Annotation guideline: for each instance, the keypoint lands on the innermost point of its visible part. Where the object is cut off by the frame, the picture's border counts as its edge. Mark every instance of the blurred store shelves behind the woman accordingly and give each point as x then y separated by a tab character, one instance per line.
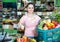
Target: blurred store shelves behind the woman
12	10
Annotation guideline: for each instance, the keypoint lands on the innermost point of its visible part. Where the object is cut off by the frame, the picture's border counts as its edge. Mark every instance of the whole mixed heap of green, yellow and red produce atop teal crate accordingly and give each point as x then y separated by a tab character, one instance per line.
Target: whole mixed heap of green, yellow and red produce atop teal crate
47	24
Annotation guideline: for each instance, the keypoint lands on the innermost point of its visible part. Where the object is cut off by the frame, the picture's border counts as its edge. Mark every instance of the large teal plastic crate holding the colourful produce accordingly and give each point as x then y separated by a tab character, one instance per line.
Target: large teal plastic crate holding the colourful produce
52	35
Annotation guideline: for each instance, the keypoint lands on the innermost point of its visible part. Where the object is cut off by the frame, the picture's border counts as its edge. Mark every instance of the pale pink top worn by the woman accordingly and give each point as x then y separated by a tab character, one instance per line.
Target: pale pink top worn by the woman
30	25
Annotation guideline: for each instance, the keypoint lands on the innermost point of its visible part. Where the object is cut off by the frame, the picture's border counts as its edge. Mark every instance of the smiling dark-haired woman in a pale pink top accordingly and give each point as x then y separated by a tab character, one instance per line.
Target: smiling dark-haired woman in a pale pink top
29	22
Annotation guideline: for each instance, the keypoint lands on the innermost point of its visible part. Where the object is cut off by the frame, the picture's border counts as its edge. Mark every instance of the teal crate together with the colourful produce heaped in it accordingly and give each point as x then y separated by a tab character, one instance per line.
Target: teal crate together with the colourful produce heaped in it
49	29
